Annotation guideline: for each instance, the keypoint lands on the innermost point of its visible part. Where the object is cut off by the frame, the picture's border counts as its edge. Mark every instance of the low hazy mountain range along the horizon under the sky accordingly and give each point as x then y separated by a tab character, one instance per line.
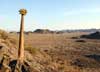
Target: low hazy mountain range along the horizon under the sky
46	31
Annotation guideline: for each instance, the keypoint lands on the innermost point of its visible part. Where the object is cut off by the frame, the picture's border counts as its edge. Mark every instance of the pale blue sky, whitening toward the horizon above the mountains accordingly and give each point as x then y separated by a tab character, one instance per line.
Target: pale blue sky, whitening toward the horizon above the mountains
50	14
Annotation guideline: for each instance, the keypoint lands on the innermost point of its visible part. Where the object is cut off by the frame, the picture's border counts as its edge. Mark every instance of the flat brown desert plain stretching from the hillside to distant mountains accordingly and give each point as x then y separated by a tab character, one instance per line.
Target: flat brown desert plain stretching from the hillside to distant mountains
64	52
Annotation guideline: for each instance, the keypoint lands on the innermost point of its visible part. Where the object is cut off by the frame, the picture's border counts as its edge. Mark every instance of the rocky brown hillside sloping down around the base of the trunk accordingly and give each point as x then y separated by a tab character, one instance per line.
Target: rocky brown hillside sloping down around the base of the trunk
8	56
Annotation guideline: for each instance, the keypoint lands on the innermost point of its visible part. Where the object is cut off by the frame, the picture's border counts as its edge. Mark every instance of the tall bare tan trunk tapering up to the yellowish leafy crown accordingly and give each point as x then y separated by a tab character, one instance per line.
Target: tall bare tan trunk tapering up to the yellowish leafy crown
20	60
